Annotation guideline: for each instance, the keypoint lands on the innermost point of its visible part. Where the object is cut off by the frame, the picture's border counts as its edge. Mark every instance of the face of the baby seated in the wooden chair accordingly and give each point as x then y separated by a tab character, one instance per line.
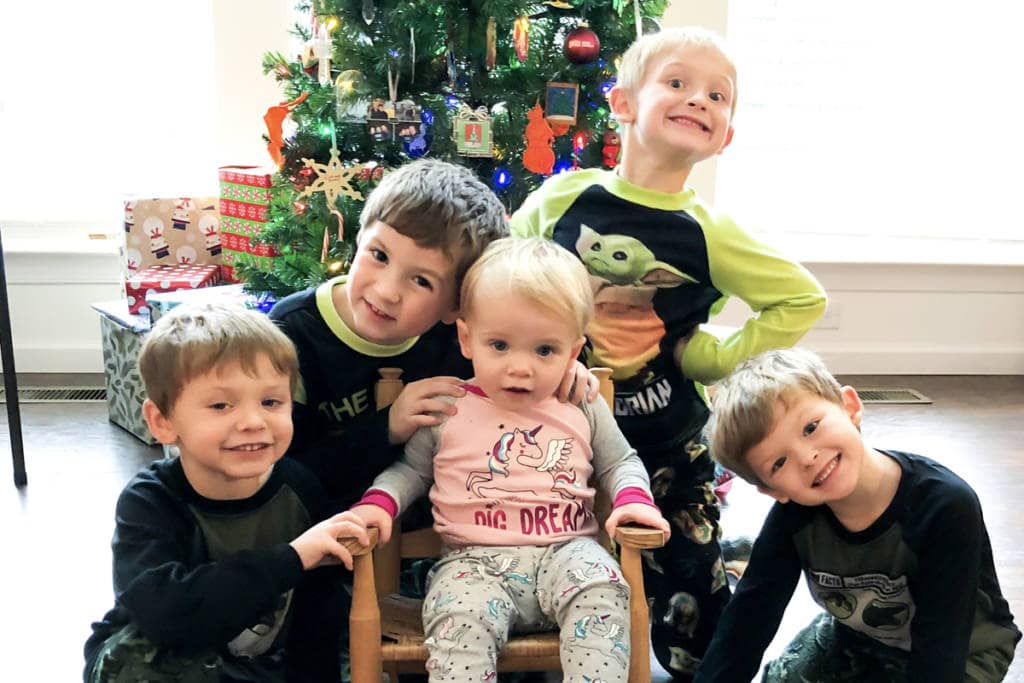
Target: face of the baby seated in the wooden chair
521	352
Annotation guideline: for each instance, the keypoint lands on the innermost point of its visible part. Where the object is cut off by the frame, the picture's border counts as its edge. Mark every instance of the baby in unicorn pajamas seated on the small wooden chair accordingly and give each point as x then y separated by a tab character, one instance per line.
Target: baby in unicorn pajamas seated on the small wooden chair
508	476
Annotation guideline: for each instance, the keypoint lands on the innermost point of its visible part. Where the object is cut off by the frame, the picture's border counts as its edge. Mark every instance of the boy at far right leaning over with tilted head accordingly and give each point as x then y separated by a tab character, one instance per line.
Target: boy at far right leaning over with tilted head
893	545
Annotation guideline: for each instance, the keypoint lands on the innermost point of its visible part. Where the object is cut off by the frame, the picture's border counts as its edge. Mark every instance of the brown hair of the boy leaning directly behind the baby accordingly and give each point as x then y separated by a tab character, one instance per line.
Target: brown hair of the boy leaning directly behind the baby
440	206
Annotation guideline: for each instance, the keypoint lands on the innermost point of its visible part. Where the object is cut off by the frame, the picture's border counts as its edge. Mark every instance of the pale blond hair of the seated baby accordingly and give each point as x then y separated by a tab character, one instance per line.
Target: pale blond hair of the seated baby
537	270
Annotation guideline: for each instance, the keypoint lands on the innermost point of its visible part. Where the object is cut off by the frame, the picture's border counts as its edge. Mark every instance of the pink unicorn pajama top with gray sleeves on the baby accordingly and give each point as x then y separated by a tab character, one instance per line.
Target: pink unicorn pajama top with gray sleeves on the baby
499	478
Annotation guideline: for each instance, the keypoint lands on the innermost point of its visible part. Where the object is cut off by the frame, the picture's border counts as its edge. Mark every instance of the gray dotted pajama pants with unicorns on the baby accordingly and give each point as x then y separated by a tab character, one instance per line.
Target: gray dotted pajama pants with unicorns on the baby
479	595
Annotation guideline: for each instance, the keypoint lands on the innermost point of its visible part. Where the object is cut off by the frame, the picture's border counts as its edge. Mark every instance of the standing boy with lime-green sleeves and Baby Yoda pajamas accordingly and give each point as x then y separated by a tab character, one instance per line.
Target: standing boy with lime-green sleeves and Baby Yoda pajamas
662	263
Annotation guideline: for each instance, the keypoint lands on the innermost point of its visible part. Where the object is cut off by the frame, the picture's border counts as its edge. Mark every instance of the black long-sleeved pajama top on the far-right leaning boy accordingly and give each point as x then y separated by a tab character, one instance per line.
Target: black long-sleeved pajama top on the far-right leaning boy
920	579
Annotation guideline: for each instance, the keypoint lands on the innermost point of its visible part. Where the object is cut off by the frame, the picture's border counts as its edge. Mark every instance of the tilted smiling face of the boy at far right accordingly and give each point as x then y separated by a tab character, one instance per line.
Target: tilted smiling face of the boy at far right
815	452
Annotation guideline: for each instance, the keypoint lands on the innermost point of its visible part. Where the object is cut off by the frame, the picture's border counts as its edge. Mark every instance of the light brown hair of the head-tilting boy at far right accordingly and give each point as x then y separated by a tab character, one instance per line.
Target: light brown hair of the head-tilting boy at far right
746	405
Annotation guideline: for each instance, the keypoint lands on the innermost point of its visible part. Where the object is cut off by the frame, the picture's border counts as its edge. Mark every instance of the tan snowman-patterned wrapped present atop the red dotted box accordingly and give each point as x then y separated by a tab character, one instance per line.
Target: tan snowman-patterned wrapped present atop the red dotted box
165	232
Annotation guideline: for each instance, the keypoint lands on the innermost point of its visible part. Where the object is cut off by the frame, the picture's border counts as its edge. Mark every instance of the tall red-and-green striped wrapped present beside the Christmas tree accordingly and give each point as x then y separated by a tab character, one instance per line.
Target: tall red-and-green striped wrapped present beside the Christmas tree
245	201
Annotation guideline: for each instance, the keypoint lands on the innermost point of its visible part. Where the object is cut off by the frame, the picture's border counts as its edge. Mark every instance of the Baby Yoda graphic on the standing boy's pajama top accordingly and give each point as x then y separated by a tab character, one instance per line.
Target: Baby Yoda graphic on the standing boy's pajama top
625	276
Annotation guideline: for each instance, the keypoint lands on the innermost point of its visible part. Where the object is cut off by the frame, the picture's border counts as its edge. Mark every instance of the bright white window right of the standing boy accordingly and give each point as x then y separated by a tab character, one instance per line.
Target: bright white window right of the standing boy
878	118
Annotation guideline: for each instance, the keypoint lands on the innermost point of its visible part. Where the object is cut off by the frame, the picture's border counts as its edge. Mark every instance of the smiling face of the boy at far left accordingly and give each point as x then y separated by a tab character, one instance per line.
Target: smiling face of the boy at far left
231	428
